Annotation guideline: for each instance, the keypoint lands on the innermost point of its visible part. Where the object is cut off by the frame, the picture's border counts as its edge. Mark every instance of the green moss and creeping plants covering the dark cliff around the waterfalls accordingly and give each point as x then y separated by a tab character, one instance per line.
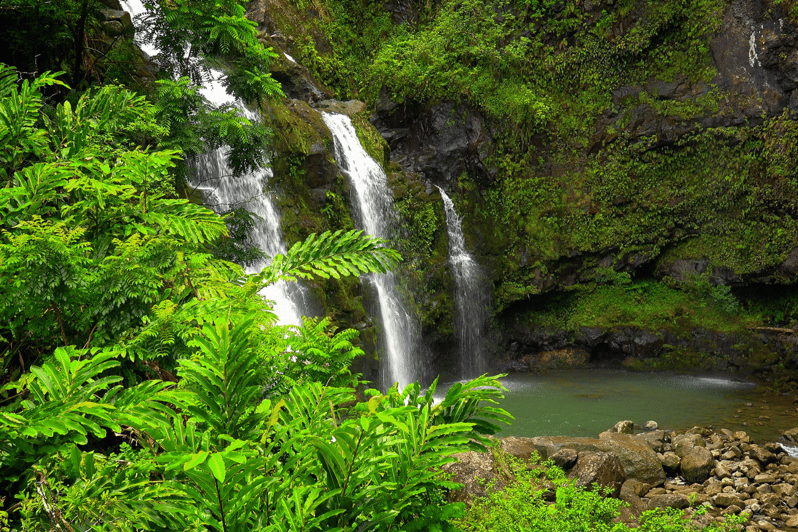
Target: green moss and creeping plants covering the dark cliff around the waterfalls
586	173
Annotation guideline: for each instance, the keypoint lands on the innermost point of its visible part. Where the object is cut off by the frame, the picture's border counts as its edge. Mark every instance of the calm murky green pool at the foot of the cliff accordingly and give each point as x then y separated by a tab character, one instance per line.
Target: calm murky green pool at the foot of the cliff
587	402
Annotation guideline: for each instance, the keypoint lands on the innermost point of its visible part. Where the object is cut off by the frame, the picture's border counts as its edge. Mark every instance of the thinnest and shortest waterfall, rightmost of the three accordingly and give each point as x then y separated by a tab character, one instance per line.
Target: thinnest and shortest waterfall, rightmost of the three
471	297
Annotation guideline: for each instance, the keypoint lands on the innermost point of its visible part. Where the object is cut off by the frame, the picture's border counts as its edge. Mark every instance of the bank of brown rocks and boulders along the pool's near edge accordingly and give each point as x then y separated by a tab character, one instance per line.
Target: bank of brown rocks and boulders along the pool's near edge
651	468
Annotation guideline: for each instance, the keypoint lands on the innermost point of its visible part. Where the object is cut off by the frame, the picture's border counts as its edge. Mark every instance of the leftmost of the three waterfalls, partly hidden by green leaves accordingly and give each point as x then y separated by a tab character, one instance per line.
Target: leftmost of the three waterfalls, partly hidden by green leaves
222	193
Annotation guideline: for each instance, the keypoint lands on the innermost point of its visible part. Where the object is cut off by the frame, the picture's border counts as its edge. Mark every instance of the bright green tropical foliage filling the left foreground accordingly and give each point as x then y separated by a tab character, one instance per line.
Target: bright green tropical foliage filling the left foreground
145	385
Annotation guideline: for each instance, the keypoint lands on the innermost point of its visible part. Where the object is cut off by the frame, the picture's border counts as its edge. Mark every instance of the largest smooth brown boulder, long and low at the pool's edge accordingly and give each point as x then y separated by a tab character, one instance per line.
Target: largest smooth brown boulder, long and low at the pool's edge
638	460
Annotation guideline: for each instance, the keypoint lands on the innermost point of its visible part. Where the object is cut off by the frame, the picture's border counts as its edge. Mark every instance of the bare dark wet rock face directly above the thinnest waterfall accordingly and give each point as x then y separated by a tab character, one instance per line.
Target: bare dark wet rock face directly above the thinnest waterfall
438	142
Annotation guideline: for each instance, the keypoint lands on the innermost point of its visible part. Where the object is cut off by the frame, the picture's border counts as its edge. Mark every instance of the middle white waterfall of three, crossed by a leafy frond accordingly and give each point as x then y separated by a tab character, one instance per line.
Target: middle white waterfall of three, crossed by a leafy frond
400	332
